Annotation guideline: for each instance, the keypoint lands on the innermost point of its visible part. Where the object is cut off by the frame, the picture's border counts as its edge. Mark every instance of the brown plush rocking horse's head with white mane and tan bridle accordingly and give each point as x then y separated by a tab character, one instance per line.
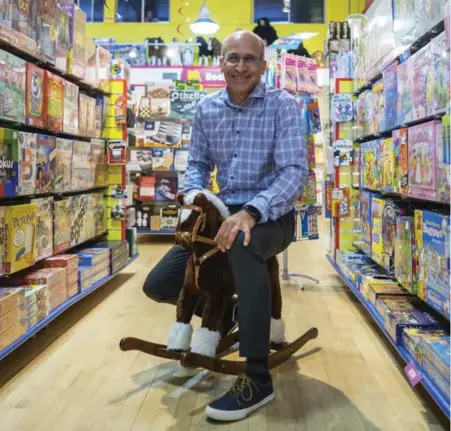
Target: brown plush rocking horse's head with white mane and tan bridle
200	217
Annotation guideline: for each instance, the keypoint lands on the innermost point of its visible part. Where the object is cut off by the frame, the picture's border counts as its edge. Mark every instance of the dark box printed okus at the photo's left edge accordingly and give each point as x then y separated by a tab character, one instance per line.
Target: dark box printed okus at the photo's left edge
9	168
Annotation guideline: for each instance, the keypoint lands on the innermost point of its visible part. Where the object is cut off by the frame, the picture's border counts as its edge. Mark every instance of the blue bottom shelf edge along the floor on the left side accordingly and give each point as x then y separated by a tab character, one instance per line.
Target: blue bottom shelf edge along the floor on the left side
59	310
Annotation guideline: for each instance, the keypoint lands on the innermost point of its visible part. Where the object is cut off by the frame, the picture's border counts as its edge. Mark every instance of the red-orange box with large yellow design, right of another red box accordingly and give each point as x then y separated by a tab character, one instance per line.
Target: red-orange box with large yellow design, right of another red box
54	102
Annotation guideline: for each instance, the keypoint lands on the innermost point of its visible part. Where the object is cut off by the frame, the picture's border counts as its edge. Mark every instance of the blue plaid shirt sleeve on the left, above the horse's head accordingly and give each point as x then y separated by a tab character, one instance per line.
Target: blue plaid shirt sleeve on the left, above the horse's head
200	166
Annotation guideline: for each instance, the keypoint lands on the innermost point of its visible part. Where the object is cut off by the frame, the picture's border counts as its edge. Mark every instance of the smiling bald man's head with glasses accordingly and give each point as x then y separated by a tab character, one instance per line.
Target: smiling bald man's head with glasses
243	64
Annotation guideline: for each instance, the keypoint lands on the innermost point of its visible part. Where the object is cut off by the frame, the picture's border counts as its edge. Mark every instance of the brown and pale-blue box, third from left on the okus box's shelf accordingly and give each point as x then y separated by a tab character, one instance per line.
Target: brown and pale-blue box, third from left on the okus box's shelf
45	163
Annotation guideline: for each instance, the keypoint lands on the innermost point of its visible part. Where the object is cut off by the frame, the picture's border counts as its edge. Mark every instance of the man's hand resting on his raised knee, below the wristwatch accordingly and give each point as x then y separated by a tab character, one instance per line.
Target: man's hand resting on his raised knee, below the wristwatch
231	226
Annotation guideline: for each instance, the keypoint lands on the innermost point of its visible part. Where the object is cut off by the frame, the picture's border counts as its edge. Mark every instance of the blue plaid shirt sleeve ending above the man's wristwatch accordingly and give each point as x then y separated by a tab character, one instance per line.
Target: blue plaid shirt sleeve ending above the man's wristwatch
290	156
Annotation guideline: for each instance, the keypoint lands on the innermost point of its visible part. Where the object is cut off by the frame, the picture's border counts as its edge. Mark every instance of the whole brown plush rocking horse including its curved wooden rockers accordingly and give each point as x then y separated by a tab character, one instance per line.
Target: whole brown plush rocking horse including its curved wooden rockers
209	273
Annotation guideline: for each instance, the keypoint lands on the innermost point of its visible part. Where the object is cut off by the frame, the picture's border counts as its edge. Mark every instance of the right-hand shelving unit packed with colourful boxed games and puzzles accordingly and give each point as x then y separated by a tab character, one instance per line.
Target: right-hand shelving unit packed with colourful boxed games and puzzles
386	224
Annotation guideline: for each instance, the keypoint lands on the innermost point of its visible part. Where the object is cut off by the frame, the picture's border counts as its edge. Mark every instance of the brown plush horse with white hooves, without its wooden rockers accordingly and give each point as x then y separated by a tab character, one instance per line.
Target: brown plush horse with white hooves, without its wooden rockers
208	273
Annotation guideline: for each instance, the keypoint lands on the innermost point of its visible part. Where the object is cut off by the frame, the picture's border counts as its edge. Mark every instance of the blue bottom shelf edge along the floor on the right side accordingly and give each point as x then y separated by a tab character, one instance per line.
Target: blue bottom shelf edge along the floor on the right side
427	383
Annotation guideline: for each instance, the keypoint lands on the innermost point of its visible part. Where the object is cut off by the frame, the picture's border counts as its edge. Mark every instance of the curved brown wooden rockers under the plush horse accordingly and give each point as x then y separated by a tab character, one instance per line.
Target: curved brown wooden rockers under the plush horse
193	360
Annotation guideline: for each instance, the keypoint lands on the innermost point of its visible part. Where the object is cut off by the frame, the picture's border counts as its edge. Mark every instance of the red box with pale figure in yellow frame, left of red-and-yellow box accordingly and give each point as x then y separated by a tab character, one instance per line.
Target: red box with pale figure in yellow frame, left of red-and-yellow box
35	96
